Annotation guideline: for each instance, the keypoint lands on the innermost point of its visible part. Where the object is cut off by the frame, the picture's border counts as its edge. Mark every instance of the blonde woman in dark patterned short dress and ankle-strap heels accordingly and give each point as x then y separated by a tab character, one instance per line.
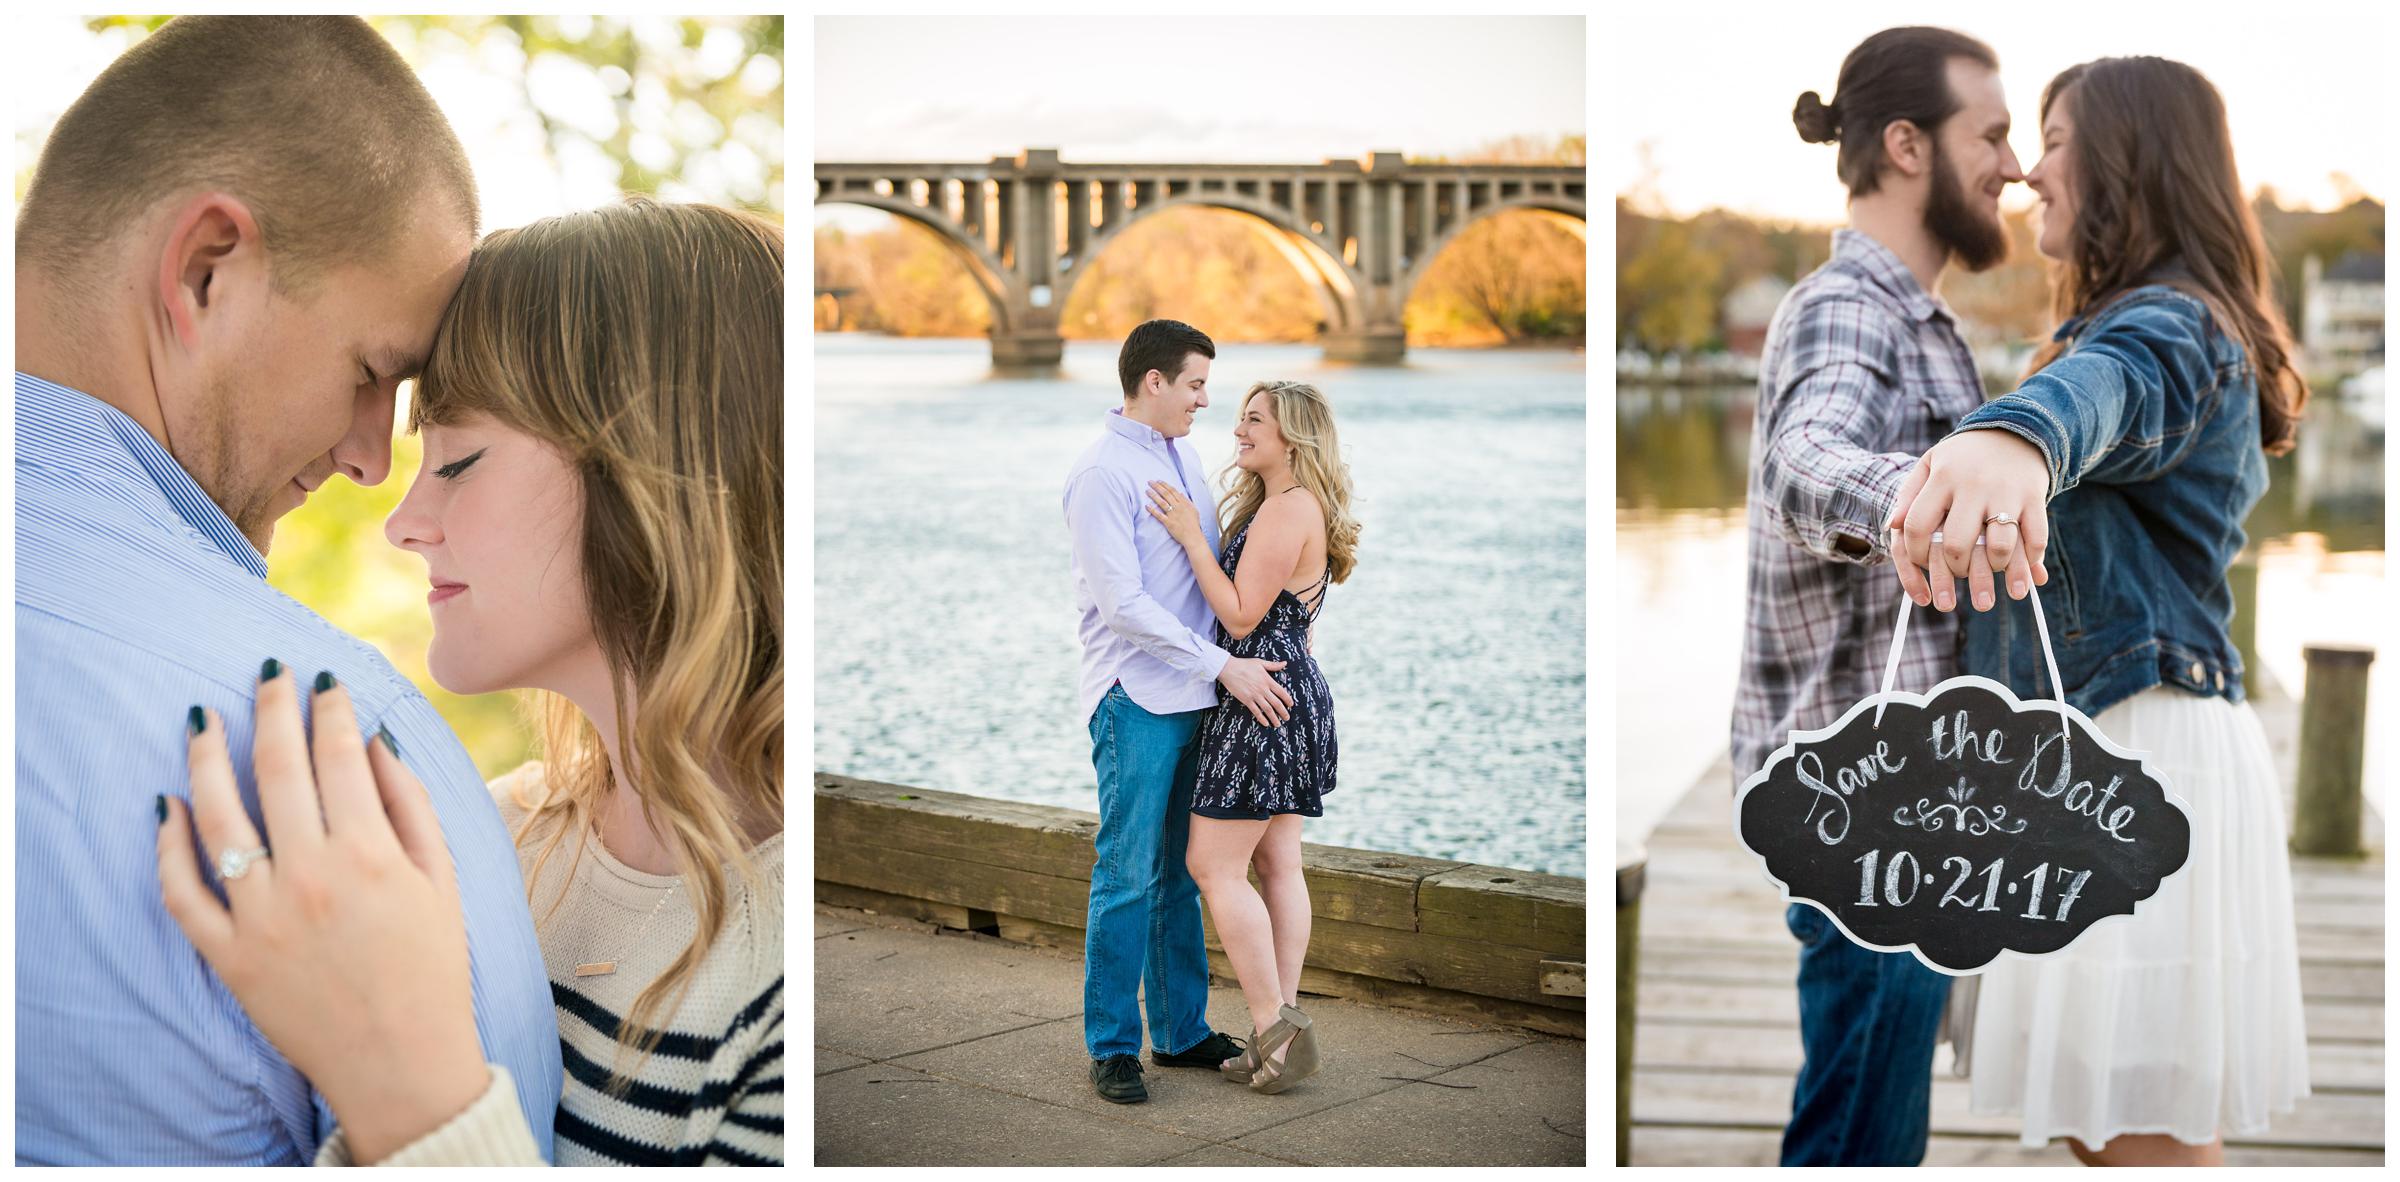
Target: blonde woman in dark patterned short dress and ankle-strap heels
1290	527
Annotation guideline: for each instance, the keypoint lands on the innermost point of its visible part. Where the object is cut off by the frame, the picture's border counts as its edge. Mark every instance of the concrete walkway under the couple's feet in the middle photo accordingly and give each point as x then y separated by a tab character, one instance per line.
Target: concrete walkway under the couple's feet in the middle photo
942	1049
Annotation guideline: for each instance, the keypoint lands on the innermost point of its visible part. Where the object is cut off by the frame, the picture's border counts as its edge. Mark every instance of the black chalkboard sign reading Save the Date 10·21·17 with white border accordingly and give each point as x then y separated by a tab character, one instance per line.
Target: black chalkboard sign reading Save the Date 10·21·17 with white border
1964	825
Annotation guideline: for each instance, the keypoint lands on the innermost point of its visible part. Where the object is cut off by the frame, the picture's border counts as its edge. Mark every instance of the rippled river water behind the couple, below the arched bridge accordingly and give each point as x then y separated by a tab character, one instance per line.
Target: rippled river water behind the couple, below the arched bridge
944	611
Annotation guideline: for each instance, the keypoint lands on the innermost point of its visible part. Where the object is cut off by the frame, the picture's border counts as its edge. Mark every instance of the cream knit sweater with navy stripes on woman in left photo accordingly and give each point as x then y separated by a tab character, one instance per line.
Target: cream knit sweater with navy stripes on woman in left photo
712	1094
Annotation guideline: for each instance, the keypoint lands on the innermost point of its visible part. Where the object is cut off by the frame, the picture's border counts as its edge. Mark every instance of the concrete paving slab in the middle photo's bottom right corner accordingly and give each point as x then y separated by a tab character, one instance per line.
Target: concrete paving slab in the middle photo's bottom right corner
1516	1109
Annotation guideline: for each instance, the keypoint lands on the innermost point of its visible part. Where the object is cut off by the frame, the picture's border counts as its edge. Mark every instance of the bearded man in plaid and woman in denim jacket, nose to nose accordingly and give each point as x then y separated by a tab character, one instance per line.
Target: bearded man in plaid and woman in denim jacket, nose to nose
2116	477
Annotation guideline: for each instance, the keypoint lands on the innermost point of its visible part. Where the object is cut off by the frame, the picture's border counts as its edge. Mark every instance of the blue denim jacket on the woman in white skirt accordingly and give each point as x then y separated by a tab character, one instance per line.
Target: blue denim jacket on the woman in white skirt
2152	431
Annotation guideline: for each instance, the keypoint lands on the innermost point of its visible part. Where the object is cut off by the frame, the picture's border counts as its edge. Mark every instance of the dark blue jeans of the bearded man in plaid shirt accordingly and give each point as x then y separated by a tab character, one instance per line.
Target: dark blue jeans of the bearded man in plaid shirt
1868	1027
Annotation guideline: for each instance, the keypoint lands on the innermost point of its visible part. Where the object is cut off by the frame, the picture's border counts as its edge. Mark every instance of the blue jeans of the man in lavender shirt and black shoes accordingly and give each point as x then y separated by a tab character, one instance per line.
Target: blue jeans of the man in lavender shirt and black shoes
1146	909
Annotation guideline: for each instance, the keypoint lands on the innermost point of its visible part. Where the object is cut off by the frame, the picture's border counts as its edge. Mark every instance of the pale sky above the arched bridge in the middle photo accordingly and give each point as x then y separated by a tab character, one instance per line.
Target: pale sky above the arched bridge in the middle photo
1192	90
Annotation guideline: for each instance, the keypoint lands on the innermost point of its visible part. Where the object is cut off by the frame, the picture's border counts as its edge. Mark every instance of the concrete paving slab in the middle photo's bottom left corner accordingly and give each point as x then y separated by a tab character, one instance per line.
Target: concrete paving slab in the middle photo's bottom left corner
889	1116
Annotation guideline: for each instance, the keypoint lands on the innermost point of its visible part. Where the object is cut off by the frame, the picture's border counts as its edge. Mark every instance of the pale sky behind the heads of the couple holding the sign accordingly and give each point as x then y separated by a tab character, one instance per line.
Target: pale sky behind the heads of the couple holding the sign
2305	88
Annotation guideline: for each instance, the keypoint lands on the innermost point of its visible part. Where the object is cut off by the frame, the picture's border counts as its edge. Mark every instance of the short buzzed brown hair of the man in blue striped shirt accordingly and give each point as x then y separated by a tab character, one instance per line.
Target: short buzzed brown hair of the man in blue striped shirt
316	124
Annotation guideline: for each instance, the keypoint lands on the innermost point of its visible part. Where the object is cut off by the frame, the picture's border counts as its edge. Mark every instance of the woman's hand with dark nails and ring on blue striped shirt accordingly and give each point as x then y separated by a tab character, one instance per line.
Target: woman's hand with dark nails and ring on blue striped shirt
344	945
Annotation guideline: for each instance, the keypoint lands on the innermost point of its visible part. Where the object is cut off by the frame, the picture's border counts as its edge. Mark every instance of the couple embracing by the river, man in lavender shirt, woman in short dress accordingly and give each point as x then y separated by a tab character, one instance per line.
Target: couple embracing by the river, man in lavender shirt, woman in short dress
1213	732
